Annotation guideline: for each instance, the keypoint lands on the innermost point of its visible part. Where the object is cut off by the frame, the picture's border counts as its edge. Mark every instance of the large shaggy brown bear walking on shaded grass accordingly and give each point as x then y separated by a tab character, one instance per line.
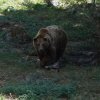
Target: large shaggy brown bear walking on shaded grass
50	43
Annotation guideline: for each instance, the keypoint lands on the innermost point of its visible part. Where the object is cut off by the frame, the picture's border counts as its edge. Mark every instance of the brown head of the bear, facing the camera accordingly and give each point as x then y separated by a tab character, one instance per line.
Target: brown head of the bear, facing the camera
42	41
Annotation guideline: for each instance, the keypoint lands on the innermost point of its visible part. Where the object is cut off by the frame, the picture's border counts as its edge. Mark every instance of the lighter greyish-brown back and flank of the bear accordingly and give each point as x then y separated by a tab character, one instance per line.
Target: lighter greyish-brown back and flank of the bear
59	39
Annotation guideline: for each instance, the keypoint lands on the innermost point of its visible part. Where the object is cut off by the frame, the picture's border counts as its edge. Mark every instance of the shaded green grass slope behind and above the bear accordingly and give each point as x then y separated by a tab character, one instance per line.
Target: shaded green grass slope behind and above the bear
78	26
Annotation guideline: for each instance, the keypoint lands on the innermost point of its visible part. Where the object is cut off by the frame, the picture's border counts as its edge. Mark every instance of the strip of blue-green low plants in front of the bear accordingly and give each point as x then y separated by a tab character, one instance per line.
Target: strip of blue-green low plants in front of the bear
40	89
